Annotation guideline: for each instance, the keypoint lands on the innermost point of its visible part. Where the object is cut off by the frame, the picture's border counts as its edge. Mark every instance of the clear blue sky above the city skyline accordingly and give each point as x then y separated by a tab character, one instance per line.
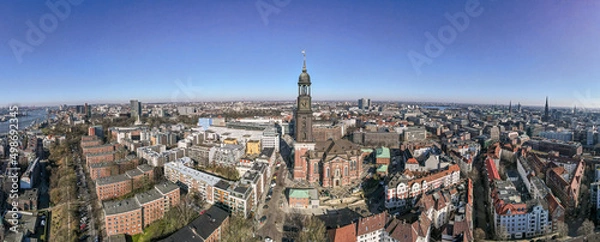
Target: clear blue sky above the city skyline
113	51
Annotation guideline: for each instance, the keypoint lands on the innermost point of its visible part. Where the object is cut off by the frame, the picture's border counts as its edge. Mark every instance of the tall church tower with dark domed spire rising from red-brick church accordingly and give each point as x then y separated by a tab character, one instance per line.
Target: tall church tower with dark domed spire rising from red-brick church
303	127
